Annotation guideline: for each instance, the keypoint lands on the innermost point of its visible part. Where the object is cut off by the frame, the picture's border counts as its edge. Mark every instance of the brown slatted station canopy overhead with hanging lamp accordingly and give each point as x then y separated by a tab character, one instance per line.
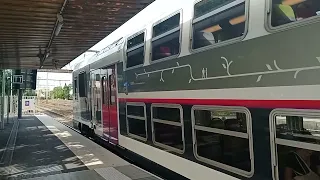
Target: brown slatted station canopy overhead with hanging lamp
51	33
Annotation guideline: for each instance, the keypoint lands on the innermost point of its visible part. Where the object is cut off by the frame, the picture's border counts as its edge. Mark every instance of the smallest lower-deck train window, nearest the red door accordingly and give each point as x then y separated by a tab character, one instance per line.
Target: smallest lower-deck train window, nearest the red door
137	121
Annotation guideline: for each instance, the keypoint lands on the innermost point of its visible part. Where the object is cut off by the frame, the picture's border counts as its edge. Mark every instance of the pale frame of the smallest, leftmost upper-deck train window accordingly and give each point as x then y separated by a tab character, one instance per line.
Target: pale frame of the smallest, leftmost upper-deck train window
131	49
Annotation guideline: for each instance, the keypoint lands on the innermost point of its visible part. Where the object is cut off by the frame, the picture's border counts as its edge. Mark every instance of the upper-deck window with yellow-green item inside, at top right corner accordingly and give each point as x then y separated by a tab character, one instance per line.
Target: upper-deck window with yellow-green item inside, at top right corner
288	11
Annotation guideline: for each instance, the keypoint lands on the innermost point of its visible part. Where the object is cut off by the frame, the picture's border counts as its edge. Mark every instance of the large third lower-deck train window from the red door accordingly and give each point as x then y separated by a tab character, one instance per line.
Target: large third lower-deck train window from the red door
222	137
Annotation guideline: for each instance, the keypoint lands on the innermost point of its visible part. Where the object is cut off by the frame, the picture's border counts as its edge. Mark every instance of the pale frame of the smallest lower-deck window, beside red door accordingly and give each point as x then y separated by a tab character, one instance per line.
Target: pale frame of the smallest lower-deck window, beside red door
139	118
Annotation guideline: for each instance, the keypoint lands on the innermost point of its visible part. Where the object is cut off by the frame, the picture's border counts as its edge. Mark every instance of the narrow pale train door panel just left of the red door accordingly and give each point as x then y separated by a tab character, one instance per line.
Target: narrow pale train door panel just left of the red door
96	102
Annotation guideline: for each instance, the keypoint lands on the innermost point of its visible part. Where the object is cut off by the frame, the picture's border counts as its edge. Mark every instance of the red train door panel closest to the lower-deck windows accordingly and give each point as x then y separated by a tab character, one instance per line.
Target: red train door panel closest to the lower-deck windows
110	120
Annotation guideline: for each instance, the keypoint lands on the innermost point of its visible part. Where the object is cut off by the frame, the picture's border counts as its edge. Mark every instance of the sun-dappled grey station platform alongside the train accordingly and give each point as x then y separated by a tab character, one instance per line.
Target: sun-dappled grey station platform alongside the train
39	147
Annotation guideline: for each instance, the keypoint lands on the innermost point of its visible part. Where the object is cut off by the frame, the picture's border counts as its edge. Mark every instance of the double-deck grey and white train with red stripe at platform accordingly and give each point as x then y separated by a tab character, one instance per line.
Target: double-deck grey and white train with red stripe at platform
211	89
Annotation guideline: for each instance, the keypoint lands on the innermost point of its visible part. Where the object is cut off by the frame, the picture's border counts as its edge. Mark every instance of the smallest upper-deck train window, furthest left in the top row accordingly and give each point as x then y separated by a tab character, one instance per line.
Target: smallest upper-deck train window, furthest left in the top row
135	50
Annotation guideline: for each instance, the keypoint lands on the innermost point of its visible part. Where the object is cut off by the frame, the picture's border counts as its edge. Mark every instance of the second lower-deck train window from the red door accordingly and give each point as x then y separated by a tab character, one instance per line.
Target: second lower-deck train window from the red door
167	127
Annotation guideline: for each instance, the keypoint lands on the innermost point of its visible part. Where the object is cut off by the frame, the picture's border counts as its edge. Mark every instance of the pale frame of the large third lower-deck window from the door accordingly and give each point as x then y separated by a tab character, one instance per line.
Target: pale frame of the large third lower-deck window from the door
224	132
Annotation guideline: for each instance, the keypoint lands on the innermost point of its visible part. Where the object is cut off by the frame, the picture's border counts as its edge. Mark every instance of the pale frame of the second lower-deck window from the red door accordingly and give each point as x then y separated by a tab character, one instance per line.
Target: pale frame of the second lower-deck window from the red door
168	122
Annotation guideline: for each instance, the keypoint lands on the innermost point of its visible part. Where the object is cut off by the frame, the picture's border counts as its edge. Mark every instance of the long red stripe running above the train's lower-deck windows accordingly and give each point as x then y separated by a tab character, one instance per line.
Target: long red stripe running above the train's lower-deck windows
304	104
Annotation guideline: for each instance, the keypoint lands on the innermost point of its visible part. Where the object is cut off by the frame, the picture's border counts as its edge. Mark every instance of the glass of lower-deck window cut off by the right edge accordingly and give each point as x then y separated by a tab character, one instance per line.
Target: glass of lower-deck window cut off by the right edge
298	163
